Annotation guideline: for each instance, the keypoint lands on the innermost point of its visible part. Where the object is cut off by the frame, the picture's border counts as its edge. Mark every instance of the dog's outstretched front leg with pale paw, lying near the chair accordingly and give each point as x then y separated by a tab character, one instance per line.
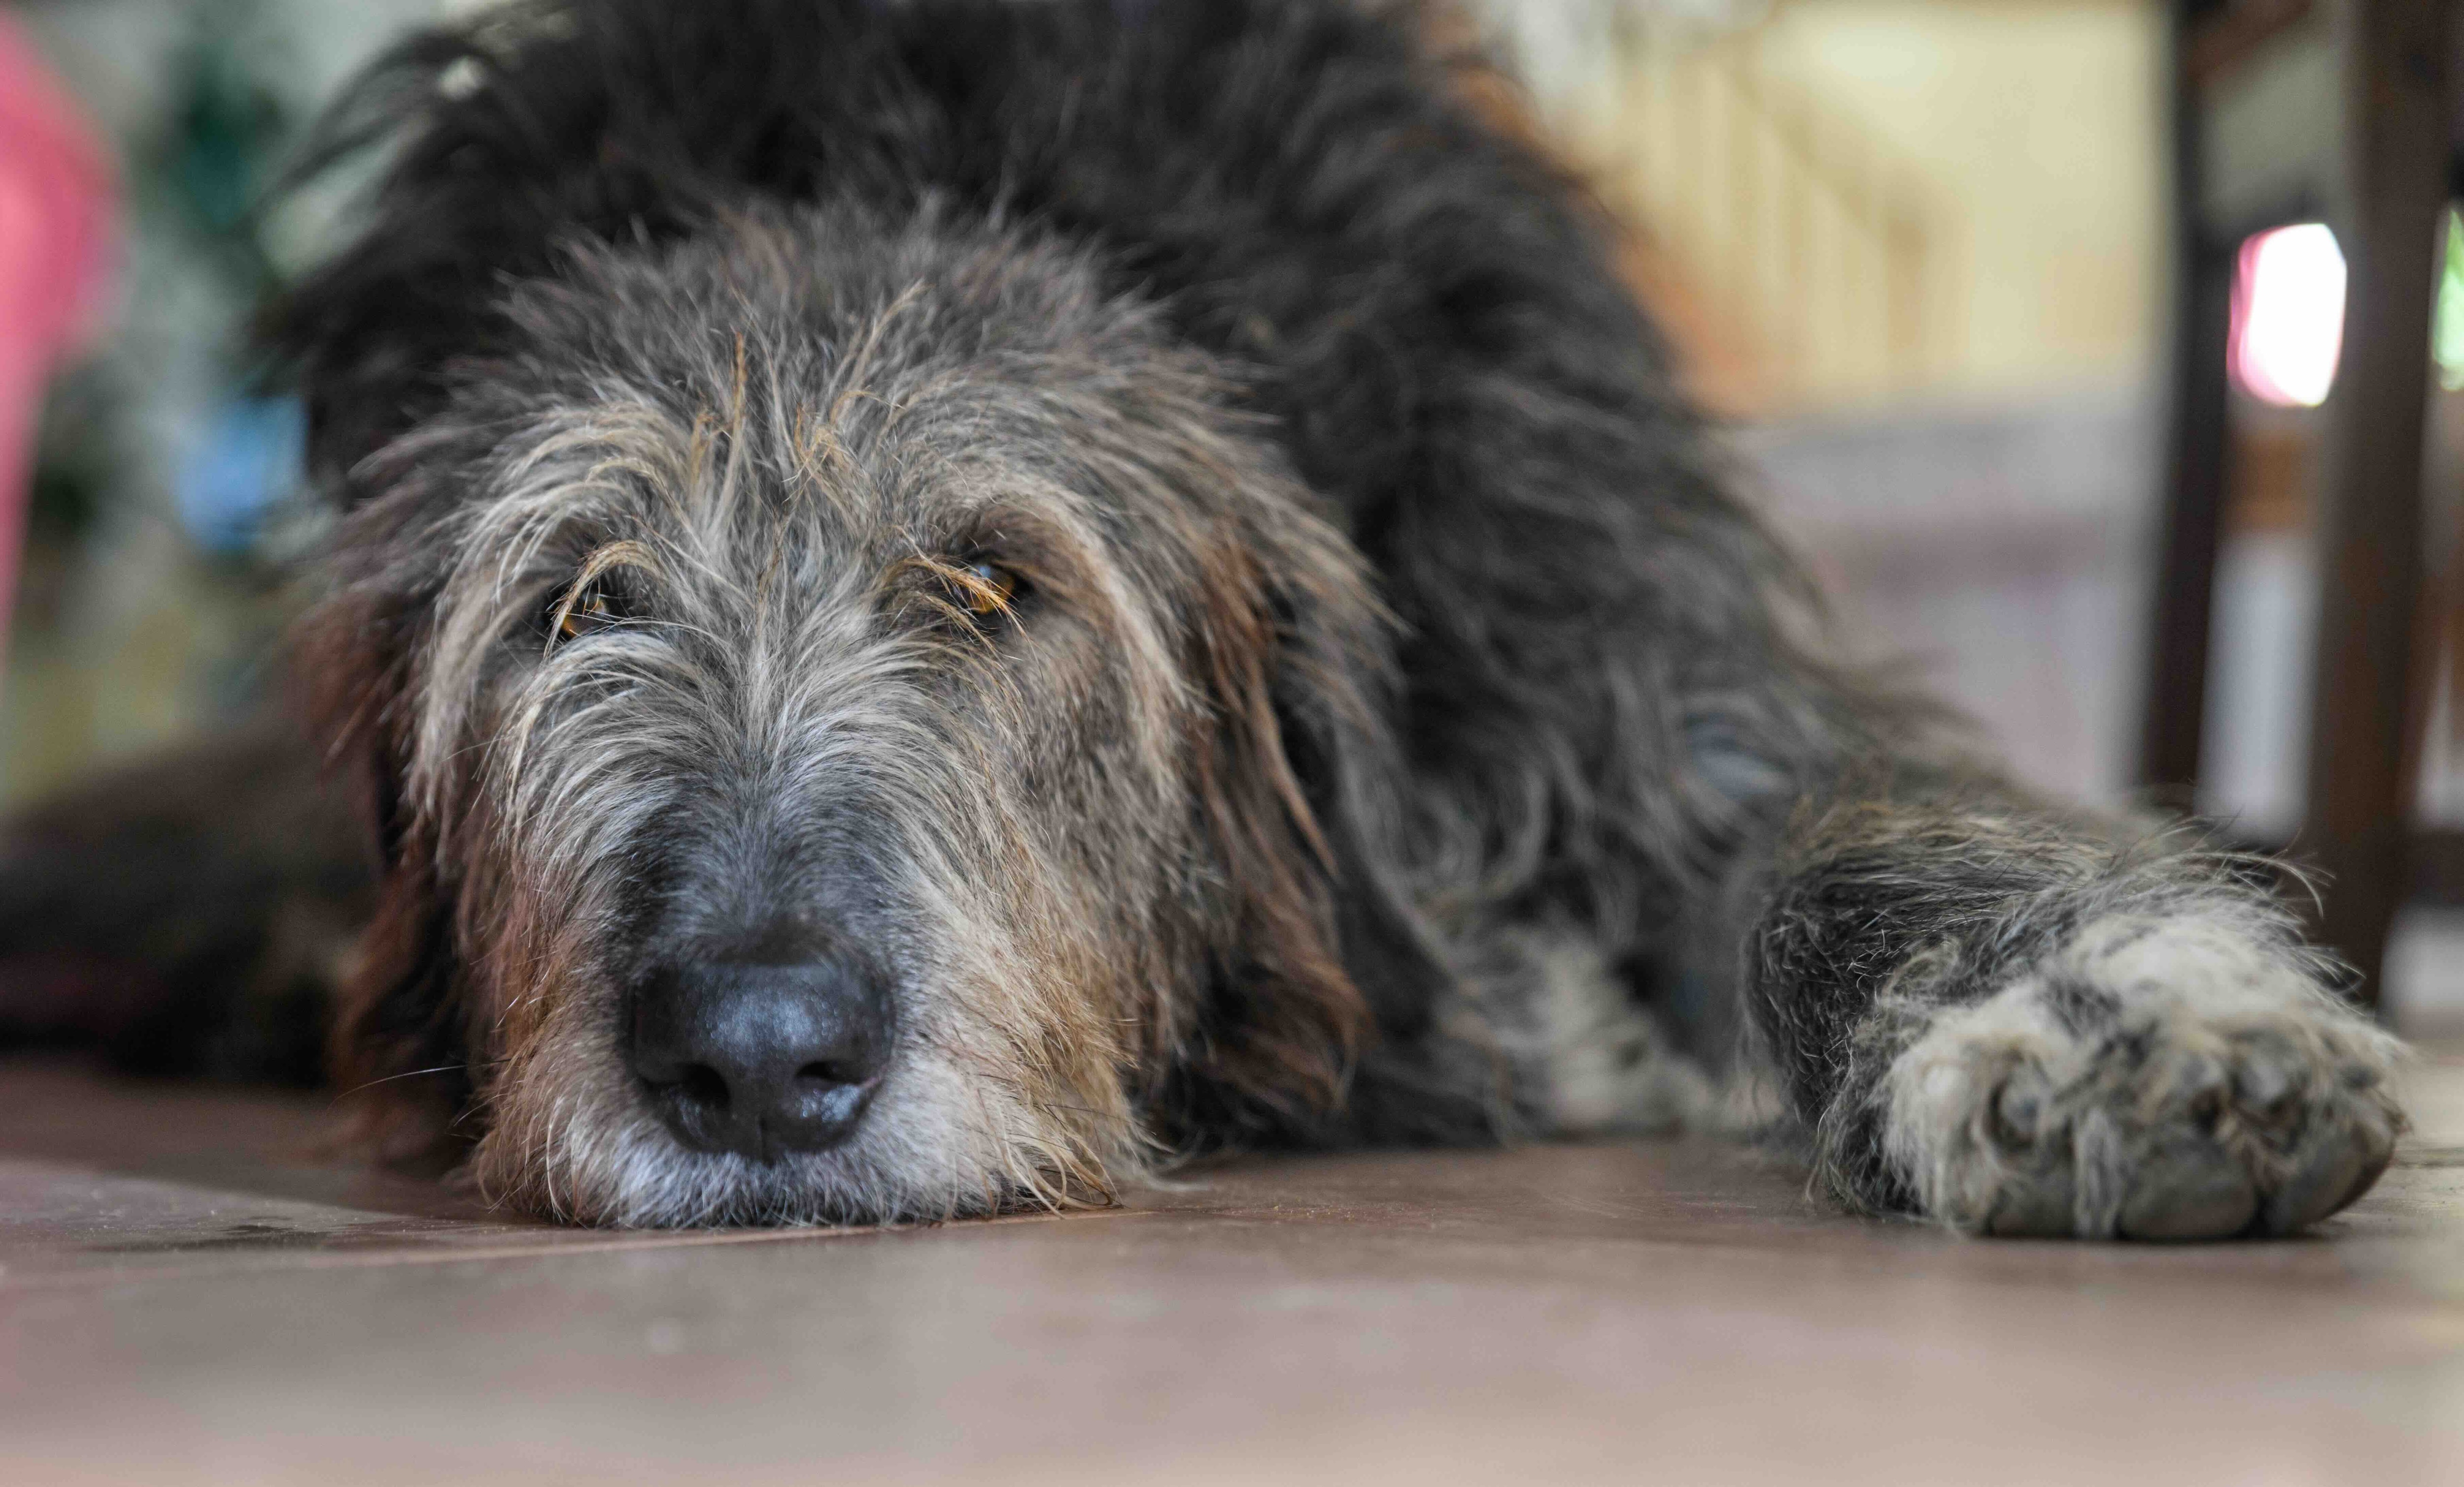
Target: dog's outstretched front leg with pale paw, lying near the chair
2027	1025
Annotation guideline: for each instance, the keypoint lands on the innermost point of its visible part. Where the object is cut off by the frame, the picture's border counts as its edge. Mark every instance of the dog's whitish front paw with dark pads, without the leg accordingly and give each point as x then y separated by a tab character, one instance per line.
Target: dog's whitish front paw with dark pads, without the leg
2157	1080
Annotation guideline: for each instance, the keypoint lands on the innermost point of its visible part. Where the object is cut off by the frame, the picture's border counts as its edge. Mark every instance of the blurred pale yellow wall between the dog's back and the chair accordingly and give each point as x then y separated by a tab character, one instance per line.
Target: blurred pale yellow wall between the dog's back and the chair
2014	146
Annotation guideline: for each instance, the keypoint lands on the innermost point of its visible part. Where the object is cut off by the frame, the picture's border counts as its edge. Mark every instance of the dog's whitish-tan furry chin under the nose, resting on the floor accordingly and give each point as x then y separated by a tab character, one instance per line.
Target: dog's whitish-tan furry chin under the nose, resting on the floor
590	1148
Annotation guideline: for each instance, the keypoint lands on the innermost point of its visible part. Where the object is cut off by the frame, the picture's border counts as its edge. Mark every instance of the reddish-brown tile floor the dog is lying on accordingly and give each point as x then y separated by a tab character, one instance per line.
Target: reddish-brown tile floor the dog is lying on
188	1294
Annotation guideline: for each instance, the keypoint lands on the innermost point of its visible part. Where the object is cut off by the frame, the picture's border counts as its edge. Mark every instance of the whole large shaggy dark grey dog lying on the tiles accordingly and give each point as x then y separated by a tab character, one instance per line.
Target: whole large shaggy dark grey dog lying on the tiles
938	602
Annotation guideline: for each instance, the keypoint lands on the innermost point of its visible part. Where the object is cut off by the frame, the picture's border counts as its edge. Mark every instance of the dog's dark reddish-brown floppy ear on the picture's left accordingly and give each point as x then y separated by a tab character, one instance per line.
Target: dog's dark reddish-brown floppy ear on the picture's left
398	1045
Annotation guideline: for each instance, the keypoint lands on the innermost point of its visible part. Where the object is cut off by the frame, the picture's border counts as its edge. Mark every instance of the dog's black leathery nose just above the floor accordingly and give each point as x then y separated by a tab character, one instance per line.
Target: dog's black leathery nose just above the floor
763	1060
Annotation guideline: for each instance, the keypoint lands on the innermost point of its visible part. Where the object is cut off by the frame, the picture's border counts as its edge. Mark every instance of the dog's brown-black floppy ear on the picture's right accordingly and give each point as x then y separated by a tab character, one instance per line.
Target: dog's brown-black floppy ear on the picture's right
1317	961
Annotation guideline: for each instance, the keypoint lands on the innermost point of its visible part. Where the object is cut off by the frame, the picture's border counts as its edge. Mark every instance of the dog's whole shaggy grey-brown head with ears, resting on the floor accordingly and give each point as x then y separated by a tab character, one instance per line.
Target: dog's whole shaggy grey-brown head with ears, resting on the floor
851	718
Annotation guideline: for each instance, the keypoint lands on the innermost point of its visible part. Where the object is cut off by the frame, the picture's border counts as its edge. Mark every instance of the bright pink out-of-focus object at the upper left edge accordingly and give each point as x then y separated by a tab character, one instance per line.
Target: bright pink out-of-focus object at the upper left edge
55	230
